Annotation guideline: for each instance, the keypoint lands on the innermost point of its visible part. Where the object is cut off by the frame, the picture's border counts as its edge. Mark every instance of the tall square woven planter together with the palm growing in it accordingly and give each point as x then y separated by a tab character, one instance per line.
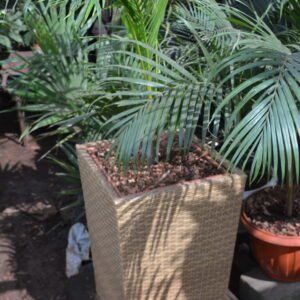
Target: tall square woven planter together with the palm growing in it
162	214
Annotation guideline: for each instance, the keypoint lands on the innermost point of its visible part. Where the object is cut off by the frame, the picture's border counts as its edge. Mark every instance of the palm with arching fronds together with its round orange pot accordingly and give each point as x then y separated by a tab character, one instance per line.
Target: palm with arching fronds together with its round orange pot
264	134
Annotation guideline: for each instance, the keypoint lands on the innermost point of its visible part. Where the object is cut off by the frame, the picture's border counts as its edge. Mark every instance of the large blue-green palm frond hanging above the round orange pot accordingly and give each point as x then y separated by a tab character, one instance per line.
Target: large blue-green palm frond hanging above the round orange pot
268	133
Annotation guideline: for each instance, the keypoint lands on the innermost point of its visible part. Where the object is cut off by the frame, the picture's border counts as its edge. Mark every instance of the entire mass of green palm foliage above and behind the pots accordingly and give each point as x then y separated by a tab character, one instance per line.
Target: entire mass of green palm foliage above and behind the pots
229	72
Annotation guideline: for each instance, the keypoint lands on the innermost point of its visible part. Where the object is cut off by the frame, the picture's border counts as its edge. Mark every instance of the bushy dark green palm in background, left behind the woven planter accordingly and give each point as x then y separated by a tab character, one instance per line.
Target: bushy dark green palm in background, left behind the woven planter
56	88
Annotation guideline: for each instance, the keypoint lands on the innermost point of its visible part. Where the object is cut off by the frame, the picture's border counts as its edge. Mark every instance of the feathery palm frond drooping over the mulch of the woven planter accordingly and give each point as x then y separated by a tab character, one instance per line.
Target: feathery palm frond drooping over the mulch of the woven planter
171	109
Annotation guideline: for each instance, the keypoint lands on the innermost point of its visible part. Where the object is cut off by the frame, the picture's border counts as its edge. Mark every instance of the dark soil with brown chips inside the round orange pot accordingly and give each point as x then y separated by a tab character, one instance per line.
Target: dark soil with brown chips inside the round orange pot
266	211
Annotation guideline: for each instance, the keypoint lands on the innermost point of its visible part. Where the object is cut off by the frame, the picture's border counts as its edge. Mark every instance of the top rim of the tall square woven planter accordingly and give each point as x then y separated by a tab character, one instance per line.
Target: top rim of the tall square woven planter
236	171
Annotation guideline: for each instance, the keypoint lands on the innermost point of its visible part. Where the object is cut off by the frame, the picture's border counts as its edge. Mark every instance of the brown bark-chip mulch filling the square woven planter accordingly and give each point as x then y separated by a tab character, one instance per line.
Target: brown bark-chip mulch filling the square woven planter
196	164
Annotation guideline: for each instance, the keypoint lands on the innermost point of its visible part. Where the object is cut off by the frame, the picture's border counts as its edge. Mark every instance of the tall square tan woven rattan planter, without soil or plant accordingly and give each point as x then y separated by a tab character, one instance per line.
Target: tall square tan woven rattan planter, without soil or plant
170	243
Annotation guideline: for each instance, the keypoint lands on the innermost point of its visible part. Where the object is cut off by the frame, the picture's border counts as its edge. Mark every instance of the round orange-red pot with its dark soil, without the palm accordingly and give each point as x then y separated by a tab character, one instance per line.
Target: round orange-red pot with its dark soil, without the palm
275	238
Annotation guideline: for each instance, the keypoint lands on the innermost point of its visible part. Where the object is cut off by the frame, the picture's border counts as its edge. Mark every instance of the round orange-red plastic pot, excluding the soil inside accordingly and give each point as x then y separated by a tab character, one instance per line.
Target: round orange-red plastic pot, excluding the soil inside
278	255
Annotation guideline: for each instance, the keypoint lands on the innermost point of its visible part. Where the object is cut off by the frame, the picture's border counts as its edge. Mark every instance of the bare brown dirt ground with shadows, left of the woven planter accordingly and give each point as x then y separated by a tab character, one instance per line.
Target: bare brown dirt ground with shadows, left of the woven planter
32	246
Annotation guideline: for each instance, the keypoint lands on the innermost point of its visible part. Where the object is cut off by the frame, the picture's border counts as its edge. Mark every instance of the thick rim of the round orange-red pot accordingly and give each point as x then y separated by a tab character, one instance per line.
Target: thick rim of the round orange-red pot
271	238
